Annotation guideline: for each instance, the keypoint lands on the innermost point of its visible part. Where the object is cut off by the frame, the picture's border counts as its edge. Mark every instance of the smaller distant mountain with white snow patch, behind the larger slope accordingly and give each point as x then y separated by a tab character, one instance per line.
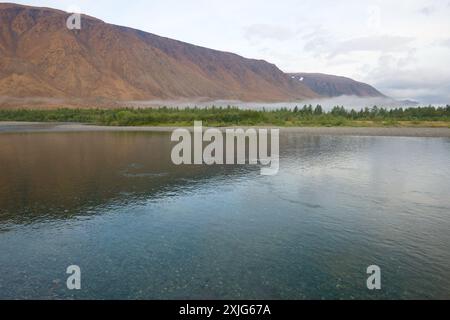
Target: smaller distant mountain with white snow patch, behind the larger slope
333	86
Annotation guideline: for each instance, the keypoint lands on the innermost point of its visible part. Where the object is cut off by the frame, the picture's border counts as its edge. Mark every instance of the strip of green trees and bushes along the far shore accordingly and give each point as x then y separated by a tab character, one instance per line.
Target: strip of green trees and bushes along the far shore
231	116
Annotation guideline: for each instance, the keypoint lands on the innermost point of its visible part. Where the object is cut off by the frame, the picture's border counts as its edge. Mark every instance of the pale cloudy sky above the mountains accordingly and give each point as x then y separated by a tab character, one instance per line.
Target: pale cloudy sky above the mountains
402	47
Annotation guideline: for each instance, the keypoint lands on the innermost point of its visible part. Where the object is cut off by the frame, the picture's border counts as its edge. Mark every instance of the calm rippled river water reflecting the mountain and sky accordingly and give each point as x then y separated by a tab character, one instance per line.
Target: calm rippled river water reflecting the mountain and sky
142	228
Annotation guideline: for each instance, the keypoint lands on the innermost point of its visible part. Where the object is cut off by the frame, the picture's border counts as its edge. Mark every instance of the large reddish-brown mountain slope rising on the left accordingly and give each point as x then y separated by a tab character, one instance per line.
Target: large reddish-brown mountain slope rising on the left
40	57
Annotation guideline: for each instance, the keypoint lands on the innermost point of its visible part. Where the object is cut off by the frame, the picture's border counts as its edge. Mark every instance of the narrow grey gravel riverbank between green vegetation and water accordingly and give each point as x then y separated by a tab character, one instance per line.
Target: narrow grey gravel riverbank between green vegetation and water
17	127
